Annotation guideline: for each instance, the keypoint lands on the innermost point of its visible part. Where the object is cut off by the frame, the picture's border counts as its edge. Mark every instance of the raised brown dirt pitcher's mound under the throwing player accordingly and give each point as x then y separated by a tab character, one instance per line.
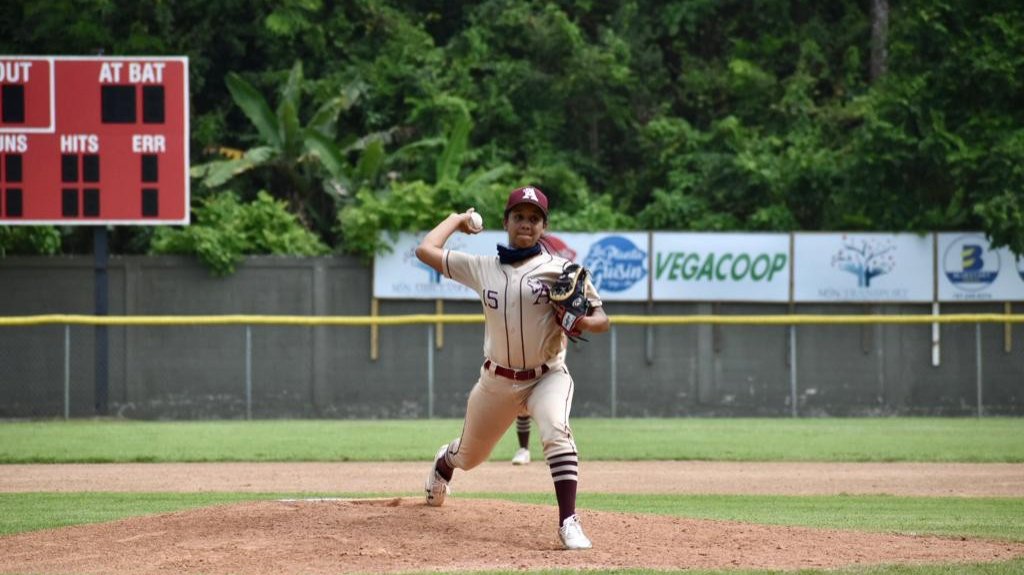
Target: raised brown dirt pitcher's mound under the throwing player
403	535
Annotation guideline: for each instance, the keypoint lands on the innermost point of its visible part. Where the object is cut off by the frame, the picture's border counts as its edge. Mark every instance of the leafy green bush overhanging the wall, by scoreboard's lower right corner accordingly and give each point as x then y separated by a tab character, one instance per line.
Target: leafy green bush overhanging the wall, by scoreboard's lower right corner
225	231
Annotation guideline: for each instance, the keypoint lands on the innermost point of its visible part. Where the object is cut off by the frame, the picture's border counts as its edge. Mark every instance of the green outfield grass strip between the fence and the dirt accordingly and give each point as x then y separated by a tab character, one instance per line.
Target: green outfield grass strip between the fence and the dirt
891	439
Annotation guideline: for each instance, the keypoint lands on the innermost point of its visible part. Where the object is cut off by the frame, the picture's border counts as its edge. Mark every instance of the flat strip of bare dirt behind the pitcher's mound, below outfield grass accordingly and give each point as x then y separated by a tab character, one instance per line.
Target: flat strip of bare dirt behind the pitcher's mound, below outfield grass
967	480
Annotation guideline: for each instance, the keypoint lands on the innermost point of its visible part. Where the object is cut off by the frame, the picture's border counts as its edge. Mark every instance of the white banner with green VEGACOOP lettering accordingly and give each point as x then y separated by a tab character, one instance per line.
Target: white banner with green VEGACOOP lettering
721	268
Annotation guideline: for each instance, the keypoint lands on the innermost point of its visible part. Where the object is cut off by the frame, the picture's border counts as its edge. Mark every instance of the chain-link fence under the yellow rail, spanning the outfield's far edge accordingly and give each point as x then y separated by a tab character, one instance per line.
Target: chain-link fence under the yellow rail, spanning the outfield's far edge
685	366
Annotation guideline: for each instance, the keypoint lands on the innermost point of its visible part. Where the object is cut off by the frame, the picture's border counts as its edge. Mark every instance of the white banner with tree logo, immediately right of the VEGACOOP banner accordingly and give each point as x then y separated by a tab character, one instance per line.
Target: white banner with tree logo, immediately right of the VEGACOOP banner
863	268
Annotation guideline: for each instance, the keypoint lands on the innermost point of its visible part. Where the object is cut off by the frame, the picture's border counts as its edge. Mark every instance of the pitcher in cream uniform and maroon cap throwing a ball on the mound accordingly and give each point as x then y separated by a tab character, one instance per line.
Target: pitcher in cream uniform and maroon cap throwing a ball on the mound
524	369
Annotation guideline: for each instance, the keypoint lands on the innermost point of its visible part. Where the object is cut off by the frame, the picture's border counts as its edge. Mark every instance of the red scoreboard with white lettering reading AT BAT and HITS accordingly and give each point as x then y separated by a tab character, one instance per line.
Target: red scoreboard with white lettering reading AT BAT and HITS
94	141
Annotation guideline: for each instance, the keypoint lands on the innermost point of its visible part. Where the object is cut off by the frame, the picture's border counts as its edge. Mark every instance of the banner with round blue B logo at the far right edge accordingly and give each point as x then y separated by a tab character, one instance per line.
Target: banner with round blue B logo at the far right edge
971	271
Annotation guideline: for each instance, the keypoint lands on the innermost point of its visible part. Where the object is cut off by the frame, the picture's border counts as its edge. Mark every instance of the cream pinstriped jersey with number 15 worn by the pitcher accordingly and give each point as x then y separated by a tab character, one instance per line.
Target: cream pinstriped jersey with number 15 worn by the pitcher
521	330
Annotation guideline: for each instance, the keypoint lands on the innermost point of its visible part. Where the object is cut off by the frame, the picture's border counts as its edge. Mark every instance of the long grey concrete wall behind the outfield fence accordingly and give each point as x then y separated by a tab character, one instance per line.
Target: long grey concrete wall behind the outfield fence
200	373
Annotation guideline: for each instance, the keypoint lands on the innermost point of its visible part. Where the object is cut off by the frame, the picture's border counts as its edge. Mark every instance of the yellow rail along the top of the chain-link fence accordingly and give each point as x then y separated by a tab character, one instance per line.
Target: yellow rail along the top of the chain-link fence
343	321
